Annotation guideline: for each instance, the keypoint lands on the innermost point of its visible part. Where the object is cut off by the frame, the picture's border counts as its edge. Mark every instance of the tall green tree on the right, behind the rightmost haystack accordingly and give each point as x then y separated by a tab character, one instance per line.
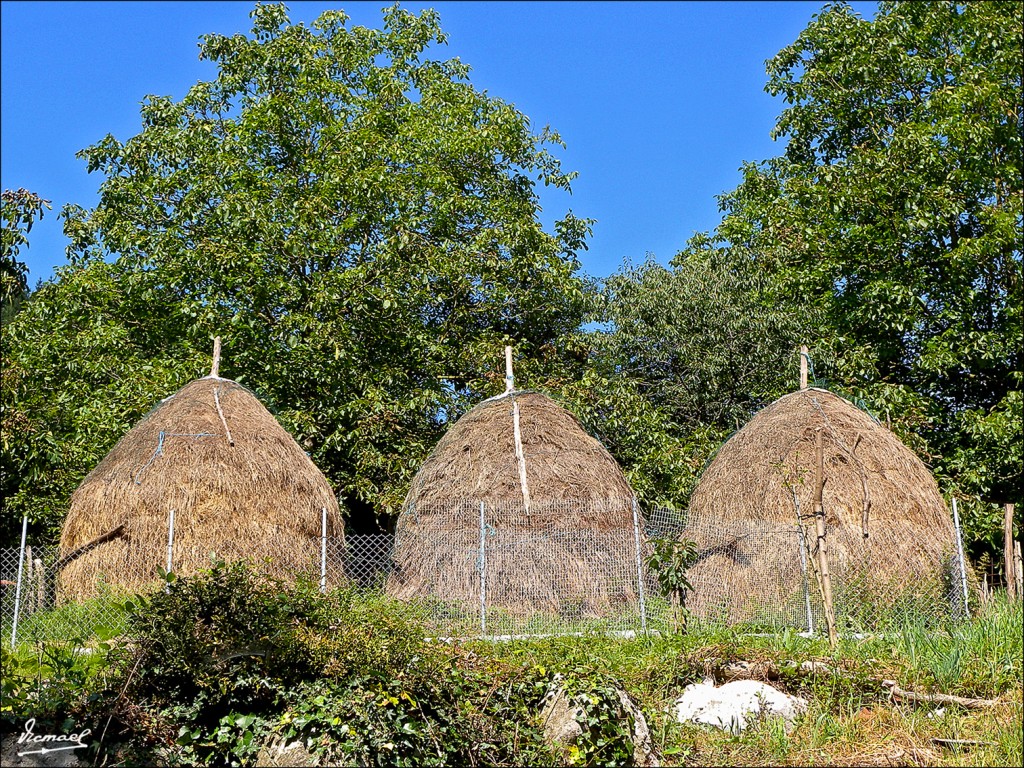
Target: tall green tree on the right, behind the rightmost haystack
894	217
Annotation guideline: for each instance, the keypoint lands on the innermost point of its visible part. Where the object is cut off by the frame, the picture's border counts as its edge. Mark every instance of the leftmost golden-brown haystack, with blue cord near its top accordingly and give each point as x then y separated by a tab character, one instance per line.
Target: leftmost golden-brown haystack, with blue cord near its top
239	485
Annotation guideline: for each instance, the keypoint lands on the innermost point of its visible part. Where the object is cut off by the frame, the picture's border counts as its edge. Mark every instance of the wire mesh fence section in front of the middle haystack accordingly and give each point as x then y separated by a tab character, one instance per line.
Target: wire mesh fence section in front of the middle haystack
508	570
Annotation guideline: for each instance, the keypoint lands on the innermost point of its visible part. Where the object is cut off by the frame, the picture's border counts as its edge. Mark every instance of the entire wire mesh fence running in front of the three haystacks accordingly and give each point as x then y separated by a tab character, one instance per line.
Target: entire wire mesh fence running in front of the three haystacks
567	568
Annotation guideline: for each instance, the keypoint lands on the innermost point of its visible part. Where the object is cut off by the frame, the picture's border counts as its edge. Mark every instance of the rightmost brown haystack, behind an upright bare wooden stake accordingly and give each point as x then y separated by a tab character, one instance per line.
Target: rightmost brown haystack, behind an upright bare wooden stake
888	530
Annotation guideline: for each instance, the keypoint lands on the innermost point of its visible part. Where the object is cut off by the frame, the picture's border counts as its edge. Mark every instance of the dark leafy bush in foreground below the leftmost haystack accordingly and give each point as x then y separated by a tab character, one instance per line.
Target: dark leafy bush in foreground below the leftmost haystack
231	661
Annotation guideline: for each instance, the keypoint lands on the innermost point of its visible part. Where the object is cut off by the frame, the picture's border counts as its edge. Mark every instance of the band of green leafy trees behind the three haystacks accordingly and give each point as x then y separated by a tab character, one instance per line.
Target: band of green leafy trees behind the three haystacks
361	225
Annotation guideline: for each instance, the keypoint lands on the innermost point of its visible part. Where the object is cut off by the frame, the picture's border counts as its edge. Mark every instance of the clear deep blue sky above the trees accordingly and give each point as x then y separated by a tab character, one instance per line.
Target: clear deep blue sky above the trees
659	103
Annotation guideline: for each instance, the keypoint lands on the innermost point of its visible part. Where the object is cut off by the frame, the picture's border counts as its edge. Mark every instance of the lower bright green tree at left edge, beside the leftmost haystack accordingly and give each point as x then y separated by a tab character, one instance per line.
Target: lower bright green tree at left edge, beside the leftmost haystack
82	362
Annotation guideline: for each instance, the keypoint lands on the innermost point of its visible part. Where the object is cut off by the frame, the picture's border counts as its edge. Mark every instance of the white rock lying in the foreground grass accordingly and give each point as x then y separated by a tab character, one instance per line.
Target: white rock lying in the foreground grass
737	706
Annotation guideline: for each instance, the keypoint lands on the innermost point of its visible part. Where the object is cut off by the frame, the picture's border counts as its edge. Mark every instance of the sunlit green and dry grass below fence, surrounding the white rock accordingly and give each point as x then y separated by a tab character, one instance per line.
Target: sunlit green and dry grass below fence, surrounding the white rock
851	719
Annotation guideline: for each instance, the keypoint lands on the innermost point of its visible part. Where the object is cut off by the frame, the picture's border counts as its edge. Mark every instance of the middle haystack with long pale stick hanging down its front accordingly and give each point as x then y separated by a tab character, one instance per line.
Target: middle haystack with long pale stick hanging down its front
564	546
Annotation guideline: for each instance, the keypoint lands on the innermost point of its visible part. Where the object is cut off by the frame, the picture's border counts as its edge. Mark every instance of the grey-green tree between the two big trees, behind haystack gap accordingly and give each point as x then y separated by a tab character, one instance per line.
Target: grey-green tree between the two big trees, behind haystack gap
701	338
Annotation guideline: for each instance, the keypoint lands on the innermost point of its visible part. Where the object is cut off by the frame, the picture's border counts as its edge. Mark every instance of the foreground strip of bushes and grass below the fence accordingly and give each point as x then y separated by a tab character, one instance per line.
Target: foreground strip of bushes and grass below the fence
223	665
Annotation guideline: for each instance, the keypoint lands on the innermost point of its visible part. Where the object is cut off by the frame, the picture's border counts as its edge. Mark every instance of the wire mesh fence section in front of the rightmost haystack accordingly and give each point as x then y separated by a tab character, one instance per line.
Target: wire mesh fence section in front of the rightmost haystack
766	574
